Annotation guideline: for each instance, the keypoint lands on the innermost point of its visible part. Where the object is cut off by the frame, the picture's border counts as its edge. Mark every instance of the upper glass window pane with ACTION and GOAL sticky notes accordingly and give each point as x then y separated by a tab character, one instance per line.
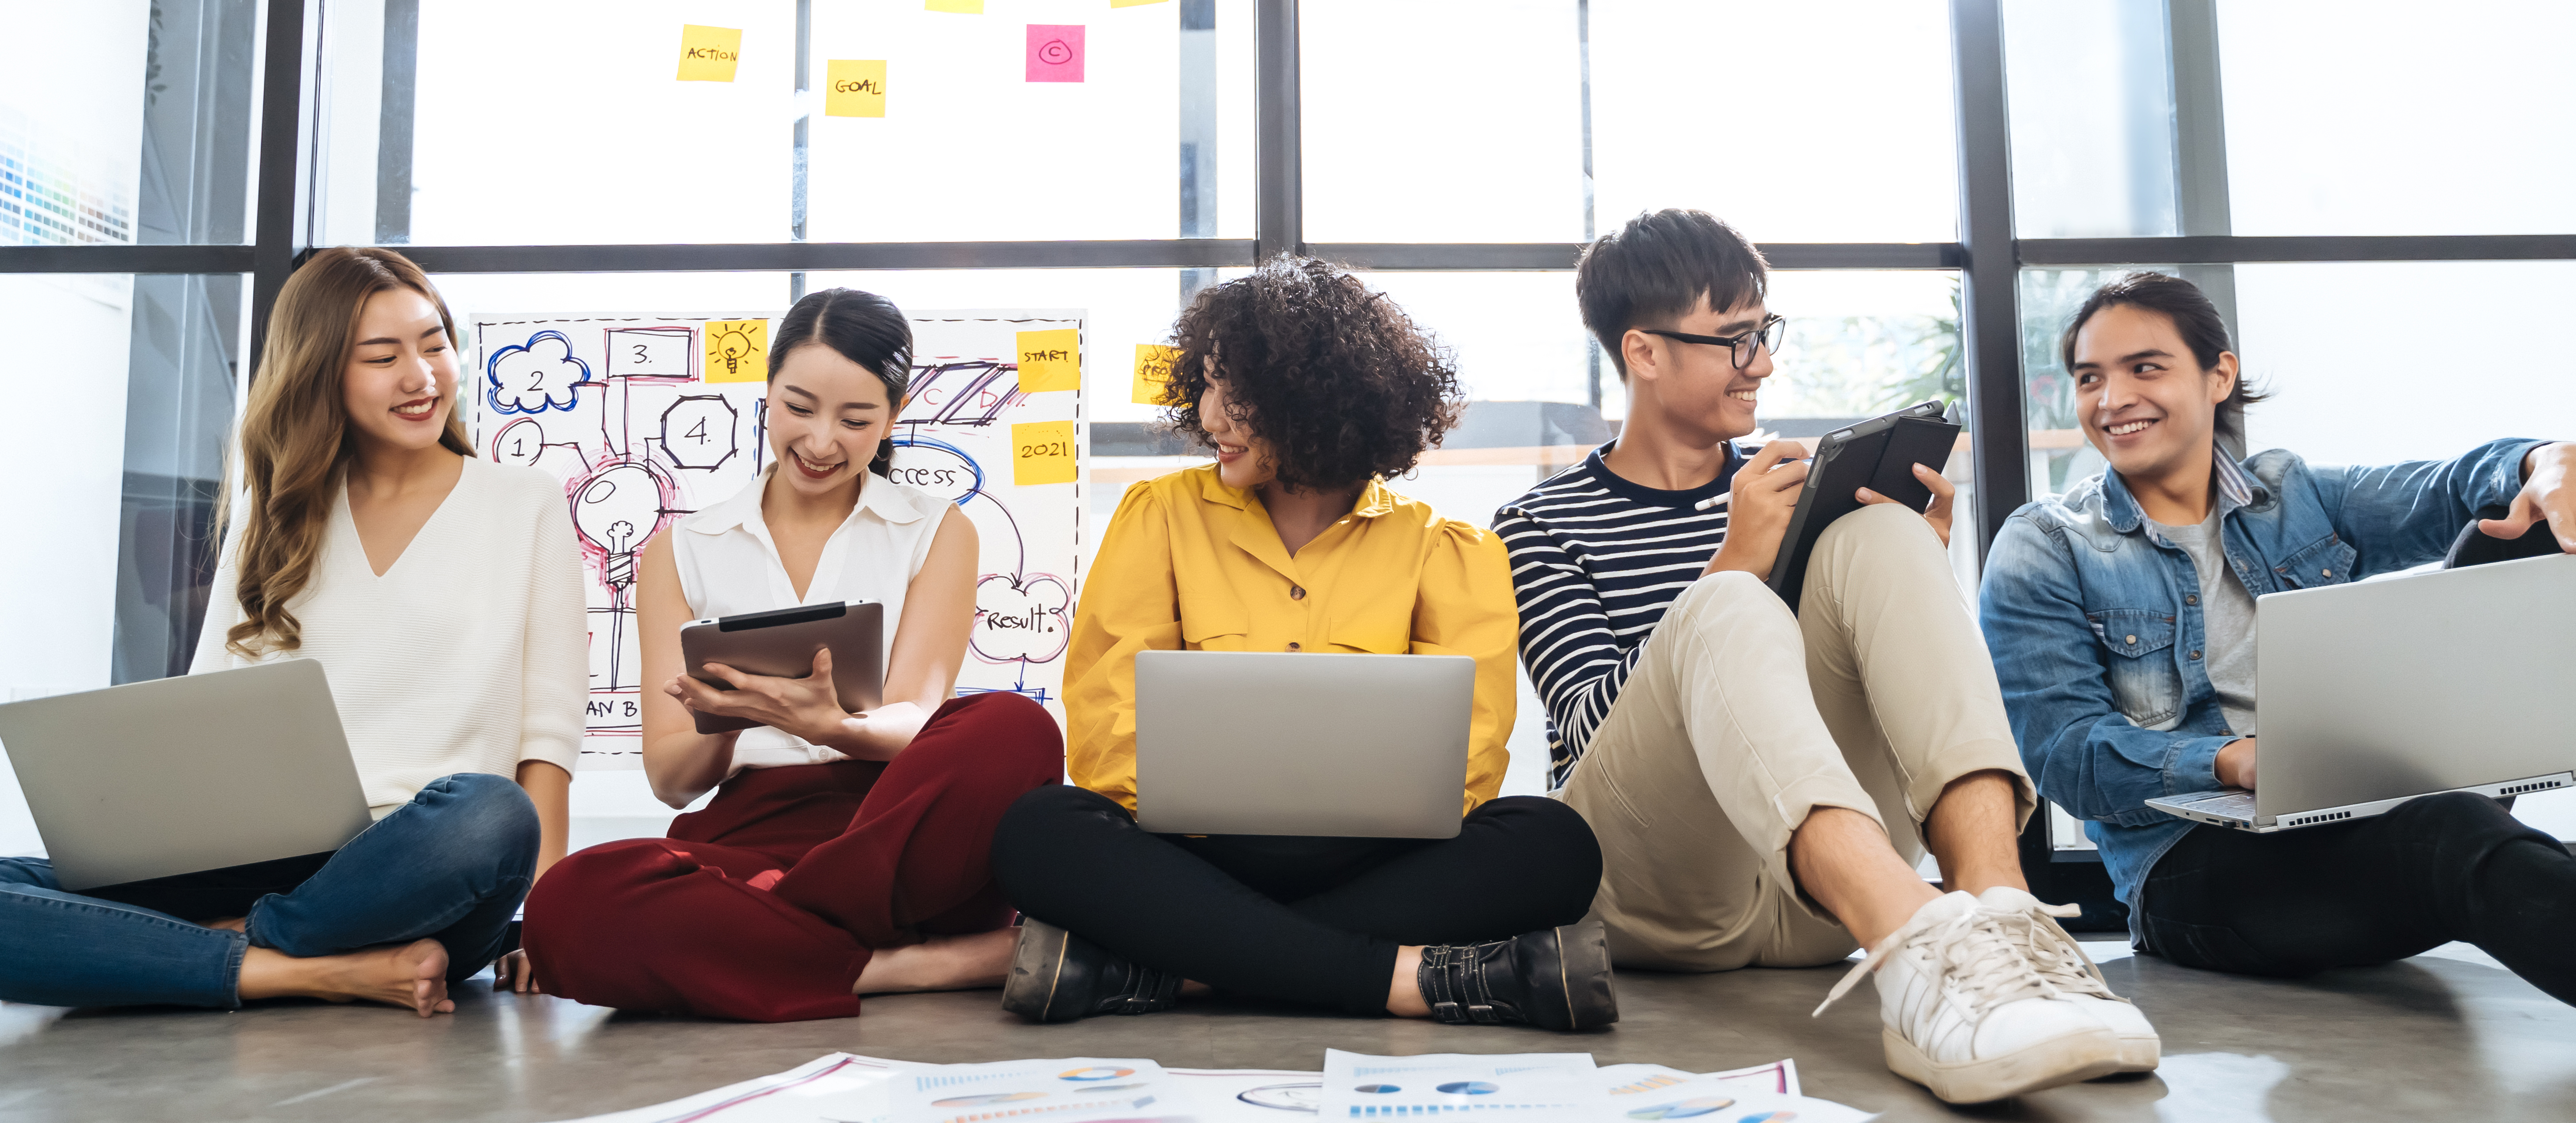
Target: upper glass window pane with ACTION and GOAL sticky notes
498	122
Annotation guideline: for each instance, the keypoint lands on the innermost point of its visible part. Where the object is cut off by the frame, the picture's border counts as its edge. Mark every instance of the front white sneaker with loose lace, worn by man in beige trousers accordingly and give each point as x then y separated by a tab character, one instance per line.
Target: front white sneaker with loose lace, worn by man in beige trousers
1969	1016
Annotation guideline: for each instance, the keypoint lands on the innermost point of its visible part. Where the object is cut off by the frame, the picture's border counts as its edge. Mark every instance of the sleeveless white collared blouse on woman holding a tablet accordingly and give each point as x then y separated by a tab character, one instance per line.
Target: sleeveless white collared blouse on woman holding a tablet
730	565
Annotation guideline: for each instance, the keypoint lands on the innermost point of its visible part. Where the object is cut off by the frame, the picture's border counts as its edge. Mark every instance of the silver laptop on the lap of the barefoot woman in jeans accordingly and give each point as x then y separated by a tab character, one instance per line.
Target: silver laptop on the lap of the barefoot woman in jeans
187	774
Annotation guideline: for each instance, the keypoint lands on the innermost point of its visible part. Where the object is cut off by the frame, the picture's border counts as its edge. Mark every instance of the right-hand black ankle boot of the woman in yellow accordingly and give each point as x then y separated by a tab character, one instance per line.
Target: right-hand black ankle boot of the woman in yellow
1557	977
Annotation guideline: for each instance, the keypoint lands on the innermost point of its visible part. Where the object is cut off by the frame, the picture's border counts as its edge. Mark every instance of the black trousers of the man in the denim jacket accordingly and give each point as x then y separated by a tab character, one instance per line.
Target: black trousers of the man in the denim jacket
2438	869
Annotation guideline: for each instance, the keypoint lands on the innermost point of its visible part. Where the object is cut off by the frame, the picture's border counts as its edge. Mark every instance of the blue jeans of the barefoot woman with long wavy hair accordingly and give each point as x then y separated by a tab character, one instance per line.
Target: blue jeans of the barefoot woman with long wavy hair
452	867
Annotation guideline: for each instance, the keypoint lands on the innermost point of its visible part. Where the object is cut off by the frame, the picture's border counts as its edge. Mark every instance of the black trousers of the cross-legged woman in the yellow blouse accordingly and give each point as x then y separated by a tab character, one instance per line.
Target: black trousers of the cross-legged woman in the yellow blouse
1292	918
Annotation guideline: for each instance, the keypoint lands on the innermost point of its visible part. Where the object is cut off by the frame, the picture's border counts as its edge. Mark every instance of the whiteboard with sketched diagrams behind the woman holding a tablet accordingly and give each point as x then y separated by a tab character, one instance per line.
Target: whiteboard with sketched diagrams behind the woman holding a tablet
648	419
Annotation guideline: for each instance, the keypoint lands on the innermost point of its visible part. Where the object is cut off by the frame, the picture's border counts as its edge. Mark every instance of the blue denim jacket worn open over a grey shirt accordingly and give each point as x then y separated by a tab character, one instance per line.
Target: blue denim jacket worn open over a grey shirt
2098	632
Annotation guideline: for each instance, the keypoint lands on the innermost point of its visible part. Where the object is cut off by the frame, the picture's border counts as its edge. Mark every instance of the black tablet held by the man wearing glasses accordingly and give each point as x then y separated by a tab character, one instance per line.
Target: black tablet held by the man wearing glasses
1877	455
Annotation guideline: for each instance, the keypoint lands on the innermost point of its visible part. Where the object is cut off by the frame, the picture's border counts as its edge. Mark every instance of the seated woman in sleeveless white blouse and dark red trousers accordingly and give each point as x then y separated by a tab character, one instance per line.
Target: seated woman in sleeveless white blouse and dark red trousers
844	854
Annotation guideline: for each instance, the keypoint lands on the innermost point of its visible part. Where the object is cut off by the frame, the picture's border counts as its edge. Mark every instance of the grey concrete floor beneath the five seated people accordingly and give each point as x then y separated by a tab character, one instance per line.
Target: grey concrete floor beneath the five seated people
2443	1037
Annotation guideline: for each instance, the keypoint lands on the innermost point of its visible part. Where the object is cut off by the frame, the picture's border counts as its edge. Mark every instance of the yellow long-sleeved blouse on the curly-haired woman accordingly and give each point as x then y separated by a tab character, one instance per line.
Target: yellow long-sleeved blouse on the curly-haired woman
1197	565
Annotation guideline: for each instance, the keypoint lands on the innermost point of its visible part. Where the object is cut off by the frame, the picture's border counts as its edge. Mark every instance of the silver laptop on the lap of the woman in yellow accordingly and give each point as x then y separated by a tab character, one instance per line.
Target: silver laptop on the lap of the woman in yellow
1297	743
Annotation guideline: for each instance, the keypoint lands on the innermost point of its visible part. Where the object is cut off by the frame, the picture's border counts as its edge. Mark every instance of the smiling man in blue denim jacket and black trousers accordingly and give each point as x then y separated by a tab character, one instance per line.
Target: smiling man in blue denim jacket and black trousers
2121	622
